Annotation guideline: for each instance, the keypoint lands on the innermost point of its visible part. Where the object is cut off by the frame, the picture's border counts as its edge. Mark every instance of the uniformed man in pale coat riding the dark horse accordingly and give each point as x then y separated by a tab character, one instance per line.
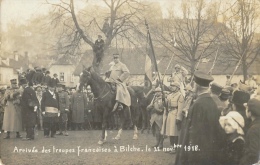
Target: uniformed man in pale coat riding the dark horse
117	74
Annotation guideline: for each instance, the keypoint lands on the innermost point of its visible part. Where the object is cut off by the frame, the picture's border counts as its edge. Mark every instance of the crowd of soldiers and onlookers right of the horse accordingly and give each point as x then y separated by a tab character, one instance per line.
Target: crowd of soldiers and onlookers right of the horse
209	123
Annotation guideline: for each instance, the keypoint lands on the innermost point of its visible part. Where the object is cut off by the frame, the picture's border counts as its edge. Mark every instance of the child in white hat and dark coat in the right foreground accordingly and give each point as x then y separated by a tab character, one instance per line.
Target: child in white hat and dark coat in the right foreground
232	124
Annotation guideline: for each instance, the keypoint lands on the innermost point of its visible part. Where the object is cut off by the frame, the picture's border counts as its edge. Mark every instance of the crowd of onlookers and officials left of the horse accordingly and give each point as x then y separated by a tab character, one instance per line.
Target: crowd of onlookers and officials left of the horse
40	102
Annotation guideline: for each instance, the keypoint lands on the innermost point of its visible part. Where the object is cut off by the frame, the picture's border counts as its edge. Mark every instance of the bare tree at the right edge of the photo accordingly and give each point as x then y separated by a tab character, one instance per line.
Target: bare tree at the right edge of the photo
239	38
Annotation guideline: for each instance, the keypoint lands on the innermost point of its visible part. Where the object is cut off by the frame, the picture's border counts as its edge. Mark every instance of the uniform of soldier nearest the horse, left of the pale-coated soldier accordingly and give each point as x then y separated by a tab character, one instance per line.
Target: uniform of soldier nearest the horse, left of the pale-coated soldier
156	108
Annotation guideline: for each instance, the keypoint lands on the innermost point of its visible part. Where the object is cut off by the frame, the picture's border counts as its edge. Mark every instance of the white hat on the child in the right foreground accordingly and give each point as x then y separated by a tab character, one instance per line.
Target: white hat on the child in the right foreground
235	119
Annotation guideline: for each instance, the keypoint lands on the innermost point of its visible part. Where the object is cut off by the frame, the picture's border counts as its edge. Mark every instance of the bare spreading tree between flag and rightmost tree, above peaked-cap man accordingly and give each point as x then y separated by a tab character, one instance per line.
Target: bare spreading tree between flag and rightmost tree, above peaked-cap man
190	36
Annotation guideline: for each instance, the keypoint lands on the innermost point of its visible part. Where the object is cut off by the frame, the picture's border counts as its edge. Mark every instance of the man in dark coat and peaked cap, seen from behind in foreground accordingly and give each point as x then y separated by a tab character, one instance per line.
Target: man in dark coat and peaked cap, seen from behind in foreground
204	131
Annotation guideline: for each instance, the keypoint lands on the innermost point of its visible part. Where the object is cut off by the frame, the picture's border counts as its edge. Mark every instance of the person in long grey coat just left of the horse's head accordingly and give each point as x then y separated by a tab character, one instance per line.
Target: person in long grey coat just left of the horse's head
78	105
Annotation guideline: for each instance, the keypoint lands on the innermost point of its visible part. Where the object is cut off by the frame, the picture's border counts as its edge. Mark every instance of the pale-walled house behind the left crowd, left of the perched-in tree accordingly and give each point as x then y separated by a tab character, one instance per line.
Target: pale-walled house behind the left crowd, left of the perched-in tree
64	68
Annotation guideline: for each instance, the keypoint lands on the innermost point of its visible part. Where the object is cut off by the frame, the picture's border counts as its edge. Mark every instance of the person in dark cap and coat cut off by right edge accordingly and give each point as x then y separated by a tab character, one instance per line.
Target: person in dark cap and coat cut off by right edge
252	145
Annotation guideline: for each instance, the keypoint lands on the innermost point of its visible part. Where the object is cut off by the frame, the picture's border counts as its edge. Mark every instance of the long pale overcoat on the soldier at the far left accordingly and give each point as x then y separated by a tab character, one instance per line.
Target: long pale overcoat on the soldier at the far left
13	115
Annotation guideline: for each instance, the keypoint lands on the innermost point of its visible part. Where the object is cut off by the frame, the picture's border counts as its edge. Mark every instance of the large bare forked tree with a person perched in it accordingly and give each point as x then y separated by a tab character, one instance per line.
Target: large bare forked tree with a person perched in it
118	15
